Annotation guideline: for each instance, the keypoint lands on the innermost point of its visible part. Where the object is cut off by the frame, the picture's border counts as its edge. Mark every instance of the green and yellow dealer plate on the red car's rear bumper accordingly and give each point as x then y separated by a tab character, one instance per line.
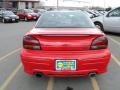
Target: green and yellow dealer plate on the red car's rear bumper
62	65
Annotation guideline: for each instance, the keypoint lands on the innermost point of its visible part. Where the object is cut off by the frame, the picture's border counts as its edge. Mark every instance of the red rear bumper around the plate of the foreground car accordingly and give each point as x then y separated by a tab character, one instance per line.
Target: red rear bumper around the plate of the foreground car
44	62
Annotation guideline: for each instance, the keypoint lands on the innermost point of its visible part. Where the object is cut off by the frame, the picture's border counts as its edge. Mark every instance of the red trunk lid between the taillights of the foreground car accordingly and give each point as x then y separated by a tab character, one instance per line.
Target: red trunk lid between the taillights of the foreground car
65	40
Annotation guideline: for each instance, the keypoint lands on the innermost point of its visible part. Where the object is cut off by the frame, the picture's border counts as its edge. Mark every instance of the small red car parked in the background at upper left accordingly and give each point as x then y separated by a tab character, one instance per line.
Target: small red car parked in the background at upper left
27	14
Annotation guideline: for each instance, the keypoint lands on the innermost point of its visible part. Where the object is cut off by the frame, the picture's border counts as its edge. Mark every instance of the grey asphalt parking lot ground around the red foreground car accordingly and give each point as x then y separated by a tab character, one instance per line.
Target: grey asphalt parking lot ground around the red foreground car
12	76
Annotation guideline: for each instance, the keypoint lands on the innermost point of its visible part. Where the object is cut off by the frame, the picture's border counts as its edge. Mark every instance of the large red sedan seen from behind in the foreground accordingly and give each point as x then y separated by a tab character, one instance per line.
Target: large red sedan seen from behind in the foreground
65	44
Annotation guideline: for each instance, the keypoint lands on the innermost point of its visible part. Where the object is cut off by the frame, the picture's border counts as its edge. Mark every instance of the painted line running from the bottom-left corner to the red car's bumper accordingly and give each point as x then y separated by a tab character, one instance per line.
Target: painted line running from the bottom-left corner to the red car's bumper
8	80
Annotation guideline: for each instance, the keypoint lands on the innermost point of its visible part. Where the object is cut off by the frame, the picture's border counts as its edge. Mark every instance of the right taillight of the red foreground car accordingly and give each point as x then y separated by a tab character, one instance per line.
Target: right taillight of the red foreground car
99	43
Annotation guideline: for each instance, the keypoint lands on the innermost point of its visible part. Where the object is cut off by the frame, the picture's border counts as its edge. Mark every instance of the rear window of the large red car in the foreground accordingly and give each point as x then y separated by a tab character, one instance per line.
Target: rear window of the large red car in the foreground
64	20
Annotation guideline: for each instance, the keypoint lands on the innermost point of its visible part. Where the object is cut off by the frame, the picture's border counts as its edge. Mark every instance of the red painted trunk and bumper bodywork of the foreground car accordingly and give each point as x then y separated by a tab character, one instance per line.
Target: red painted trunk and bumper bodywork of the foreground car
65	43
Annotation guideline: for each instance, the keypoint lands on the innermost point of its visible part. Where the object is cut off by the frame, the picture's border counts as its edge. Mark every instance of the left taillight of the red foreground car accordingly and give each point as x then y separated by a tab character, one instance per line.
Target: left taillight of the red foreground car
30	42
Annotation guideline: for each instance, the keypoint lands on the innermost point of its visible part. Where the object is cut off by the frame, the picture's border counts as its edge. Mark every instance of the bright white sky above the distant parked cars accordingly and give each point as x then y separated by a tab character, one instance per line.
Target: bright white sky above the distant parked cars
102	3
